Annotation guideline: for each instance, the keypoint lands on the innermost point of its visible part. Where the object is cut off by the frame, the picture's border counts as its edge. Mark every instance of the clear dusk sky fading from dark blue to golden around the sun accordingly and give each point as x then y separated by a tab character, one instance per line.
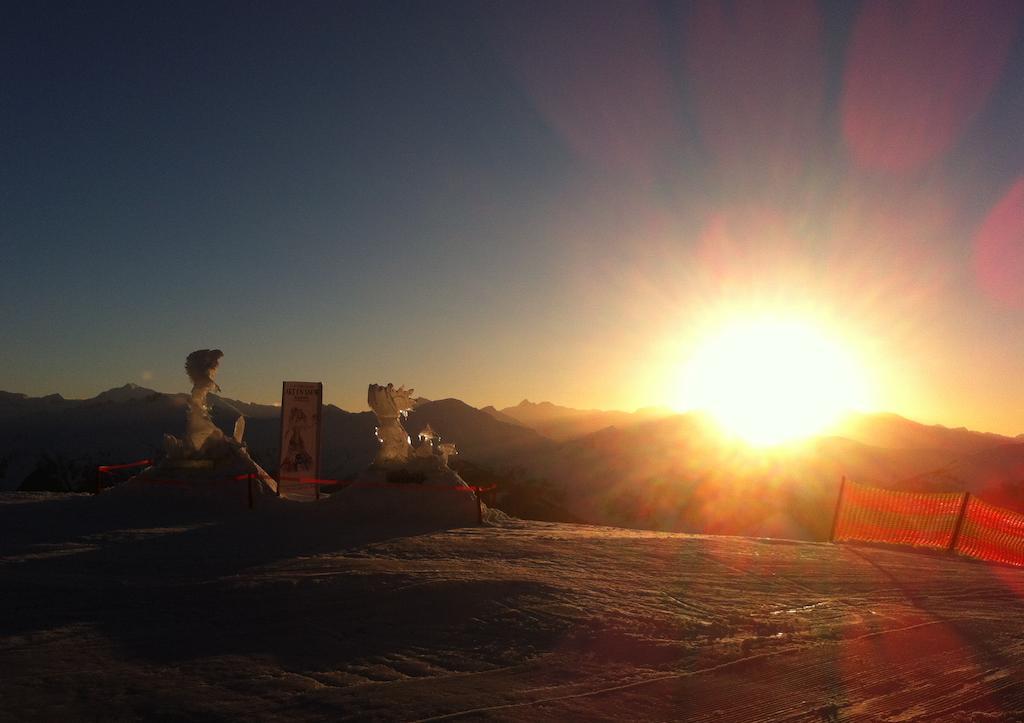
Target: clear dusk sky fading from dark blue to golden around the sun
497	201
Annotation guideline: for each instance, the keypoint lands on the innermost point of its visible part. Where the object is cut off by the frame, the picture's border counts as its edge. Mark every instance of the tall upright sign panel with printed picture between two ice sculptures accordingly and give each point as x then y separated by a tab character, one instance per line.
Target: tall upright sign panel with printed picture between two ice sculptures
302	405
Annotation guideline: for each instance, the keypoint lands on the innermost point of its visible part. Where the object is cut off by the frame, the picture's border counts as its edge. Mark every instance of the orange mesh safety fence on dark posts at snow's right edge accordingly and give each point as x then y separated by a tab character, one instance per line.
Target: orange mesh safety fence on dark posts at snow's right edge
954	522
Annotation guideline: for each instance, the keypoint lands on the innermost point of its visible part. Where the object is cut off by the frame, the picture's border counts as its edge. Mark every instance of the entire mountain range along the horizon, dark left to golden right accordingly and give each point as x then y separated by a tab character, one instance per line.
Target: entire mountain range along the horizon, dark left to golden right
652	470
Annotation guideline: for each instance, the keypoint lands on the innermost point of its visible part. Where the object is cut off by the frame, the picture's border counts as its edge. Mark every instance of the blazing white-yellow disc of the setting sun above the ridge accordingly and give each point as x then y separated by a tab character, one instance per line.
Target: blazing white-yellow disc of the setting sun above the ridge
774	380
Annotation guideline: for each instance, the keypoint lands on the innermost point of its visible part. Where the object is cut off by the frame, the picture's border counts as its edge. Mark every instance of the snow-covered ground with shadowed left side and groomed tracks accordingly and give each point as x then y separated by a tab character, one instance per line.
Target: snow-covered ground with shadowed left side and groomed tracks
126	609
